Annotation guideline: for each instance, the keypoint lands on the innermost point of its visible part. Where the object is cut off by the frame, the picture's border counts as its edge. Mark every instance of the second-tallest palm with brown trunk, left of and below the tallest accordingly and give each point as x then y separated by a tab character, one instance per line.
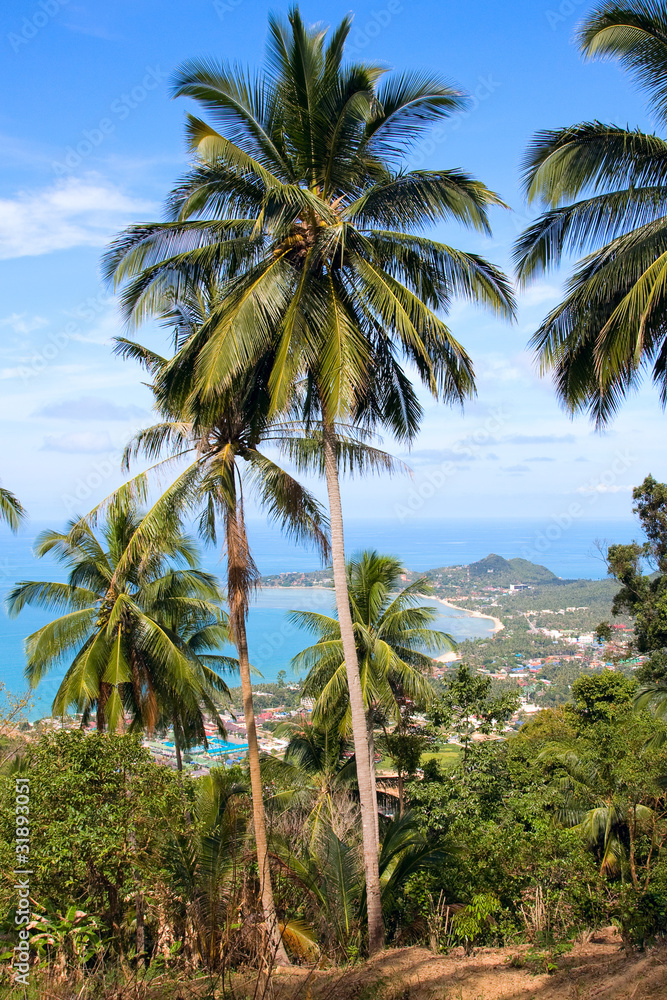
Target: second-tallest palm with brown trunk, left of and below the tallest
220	440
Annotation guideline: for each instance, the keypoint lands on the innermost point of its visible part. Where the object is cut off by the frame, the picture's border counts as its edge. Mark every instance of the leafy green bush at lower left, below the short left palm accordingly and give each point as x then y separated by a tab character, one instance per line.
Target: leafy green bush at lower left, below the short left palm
101	807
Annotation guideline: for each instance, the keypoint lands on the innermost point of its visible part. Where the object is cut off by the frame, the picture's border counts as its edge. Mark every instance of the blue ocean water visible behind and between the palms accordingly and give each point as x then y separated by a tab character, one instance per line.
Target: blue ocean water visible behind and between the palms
569	550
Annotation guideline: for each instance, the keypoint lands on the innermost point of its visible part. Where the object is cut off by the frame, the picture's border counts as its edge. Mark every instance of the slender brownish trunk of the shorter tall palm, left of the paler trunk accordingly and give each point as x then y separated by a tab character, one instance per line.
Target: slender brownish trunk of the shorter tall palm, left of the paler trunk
237	571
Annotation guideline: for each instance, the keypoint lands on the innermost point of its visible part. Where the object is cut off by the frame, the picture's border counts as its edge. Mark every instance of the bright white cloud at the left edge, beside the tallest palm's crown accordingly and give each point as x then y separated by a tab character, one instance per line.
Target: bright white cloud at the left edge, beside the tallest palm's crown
73	212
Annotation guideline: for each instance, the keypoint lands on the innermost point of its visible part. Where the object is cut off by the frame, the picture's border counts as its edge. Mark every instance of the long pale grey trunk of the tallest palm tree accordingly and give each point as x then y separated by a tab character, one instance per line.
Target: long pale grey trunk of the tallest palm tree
359	731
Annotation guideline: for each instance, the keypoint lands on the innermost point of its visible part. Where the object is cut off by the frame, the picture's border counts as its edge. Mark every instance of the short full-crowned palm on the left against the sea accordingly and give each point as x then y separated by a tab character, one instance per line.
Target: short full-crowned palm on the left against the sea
118	626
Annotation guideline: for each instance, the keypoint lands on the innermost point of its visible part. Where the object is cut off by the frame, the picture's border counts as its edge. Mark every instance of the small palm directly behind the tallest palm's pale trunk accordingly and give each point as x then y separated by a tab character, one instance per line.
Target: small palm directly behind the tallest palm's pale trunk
391	632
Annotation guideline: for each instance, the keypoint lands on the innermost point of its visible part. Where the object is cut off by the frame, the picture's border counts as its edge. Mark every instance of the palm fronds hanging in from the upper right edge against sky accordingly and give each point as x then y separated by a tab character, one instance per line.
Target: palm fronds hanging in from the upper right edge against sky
603	187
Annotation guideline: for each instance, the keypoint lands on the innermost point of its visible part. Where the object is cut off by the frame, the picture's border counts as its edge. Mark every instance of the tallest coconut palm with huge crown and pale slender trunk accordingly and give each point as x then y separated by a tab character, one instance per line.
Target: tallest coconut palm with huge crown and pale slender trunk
300	201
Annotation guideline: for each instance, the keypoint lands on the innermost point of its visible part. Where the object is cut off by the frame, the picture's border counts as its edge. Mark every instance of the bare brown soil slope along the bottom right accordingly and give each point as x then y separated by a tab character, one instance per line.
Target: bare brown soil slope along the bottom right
596	970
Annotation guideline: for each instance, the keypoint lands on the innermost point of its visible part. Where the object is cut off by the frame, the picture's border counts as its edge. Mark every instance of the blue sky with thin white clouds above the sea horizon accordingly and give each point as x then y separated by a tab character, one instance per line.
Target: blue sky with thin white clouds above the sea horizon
90	141
